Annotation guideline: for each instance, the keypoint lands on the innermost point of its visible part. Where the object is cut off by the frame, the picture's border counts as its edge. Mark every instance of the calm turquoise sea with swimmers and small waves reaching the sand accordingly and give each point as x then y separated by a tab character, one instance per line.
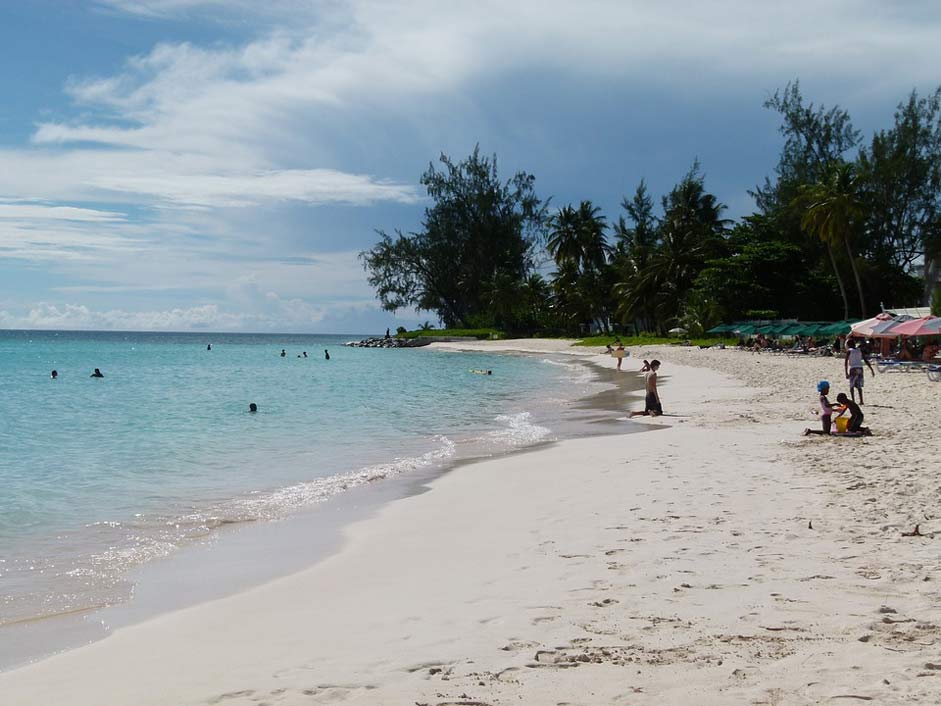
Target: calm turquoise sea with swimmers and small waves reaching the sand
100	475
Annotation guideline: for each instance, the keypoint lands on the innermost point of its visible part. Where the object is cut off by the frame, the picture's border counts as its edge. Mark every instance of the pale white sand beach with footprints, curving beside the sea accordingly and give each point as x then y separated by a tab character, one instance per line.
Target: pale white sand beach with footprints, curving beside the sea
721	559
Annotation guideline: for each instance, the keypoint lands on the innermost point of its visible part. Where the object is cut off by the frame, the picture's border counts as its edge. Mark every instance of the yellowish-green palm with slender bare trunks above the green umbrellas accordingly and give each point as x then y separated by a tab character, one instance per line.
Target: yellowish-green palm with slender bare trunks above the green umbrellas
831	209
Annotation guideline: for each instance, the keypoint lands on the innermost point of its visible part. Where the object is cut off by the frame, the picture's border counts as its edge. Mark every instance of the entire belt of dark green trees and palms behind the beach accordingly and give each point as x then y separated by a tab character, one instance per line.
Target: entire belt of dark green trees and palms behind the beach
824	218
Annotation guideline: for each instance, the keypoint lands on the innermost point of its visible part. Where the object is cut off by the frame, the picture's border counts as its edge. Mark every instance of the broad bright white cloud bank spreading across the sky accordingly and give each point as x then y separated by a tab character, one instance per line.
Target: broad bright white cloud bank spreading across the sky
146	184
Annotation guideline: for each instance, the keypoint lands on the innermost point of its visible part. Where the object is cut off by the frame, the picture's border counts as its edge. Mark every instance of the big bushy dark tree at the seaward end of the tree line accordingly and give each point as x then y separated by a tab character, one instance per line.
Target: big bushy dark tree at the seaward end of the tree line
475	246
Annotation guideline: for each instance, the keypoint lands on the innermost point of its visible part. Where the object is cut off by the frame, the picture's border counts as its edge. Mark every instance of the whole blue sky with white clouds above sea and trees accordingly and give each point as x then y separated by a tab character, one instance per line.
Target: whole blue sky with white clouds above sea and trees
218	164
